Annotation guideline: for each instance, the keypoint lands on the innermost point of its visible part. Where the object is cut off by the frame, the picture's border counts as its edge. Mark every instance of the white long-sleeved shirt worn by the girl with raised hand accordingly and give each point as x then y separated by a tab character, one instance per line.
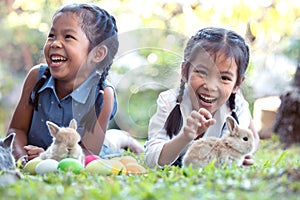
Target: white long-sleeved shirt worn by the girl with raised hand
166	101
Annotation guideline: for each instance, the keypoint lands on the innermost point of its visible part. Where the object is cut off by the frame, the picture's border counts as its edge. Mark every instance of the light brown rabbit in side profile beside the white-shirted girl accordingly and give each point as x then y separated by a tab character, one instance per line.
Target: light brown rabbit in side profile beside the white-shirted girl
233	146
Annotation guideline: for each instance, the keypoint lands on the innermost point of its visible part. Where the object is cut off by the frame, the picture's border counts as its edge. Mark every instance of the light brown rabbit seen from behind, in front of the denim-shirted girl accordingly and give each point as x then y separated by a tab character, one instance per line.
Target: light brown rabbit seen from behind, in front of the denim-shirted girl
65	143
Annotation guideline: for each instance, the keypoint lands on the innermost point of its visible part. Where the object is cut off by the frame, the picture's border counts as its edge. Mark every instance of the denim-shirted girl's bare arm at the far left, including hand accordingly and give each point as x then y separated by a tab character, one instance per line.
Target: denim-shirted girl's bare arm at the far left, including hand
21	119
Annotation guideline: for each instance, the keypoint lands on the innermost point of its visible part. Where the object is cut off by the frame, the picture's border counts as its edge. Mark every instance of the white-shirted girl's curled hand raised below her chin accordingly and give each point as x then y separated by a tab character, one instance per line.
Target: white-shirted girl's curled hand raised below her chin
198	123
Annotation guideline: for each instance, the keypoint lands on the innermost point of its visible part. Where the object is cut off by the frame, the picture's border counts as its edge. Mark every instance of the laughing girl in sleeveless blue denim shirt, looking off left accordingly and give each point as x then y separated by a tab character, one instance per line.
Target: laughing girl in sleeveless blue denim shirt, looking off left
79	51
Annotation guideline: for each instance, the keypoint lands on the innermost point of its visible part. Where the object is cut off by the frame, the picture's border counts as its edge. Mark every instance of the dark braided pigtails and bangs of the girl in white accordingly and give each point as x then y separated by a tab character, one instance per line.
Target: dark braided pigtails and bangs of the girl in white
211	40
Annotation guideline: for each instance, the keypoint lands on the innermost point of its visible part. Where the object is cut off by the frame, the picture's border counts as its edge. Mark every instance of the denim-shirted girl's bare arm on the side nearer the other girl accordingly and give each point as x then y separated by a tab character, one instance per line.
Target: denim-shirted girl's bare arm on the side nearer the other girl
92	141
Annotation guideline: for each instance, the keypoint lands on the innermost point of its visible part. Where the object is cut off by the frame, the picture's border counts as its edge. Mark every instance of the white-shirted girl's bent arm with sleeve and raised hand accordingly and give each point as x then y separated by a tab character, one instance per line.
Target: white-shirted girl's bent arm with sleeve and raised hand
159	148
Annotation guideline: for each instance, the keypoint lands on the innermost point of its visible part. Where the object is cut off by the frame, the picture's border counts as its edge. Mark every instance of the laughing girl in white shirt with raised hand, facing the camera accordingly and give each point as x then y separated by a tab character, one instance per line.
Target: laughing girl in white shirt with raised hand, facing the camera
214	66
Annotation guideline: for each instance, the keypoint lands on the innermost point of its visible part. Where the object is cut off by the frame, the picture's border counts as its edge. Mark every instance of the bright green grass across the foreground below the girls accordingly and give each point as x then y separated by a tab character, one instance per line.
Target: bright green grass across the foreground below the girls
275	175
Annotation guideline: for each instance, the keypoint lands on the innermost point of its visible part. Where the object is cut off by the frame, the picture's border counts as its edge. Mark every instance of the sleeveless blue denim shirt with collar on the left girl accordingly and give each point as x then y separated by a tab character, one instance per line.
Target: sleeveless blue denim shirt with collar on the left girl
62	111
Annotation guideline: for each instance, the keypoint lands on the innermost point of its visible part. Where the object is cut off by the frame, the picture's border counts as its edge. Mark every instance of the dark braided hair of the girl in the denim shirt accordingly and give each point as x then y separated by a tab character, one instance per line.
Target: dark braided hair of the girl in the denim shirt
101	29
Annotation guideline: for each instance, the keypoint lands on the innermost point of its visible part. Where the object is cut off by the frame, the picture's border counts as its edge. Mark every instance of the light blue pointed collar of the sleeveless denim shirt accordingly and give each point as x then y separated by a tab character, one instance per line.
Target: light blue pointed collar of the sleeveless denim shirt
81	93
